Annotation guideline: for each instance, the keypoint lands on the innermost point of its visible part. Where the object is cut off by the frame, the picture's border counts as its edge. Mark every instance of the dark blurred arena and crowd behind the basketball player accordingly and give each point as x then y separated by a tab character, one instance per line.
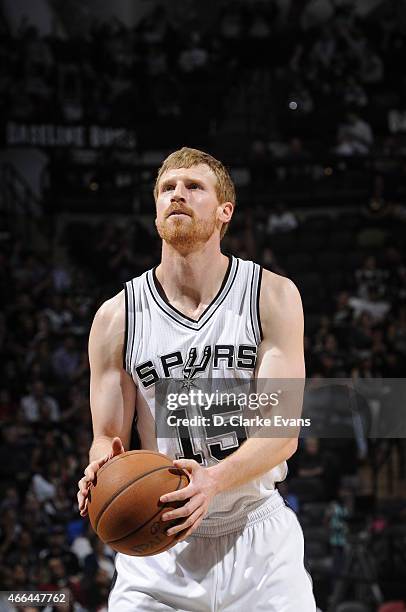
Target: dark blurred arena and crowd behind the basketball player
305	102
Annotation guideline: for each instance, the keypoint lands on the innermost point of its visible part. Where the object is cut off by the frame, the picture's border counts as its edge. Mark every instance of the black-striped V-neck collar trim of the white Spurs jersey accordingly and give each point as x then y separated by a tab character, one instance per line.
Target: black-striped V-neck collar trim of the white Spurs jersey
182	319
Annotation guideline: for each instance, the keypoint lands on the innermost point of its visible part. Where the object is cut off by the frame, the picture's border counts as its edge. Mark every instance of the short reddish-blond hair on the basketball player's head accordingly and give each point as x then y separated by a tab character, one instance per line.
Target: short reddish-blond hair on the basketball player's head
187	158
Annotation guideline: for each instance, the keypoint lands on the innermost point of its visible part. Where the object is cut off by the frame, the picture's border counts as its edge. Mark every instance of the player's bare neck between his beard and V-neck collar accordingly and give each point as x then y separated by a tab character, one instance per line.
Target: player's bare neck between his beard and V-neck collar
191	281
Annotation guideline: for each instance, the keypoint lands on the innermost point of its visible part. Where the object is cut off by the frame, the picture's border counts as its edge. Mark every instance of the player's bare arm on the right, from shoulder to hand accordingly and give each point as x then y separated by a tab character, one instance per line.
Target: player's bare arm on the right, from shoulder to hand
280	356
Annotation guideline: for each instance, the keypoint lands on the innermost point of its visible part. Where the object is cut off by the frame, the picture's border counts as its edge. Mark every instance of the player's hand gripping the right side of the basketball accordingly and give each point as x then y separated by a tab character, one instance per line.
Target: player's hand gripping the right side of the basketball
199	493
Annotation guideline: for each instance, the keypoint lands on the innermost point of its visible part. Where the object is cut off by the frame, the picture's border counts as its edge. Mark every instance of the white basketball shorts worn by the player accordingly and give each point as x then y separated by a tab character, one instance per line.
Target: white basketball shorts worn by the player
257	566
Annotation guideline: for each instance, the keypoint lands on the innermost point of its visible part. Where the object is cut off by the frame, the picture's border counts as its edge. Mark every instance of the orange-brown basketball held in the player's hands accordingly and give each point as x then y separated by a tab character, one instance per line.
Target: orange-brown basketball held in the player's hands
124	507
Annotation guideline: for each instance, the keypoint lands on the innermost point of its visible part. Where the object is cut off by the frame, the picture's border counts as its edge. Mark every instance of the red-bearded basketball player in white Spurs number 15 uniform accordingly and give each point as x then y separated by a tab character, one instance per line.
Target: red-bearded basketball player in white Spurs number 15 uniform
241	547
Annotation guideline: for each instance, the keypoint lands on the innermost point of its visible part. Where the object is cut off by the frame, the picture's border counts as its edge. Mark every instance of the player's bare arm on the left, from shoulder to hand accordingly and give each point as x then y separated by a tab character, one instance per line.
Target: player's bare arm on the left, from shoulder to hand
112	391
